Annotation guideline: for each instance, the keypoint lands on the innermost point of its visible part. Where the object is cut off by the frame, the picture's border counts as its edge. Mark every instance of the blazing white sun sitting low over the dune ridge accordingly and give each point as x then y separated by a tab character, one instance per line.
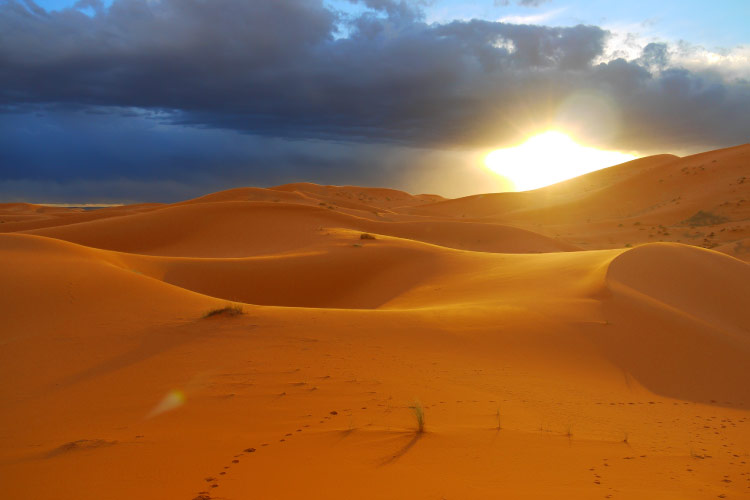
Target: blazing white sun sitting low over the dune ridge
549	158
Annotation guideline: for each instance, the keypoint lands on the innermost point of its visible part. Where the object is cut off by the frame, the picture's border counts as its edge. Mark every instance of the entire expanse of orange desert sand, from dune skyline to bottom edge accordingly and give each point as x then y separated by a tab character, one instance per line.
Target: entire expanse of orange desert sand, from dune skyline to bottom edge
587	340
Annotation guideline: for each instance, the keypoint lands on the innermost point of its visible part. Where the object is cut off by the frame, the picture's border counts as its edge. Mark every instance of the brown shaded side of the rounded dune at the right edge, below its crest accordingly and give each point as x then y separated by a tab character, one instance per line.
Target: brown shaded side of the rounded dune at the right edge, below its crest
679	322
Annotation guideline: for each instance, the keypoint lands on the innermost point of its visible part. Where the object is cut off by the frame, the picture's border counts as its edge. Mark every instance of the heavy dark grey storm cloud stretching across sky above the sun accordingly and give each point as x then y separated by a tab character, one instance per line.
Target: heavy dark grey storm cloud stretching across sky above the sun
280	69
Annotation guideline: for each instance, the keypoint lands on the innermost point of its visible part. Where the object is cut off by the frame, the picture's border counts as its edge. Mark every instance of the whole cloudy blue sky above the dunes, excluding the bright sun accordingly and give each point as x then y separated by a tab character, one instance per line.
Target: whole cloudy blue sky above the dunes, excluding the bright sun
163	100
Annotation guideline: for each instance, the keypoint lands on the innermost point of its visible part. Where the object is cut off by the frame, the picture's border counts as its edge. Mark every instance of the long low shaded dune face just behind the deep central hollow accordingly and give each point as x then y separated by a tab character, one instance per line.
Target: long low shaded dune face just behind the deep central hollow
242	229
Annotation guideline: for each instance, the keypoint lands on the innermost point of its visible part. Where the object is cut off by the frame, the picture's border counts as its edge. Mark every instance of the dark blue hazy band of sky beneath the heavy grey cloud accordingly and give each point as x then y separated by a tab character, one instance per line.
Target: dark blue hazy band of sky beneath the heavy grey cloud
66	155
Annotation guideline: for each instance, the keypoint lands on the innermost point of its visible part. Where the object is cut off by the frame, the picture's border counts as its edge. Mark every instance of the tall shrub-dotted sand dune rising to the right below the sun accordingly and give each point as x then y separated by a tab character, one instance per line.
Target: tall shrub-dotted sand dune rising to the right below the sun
701	200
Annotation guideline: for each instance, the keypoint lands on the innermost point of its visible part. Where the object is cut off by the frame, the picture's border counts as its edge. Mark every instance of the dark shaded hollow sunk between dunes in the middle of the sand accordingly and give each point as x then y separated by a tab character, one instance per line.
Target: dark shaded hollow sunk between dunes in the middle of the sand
342	276
